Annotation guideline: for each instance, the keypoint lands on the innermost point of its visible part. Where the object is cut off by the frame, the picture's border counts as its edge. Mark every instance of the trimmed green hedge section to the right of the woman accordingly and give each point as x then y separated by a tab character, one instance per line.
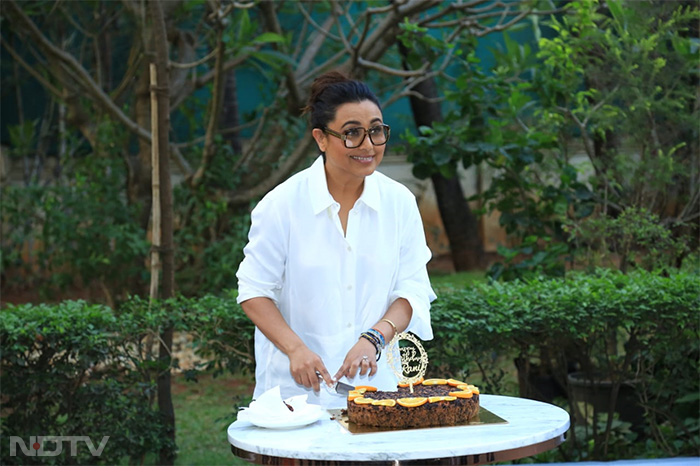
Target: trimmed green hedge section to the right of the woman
640	327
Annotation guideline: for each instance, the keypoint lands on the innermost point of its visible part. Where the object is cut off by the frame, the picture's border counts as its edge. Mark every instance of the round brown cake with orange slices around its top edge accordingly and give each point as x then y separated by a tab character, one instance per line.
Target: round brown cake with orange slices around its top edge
434	402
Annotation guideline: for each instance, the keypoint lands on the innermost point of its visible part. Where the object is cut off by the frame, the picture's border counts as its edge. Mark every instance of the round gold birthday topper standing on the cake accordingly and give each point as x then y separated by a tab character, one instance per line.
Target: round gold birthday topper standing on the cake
410	361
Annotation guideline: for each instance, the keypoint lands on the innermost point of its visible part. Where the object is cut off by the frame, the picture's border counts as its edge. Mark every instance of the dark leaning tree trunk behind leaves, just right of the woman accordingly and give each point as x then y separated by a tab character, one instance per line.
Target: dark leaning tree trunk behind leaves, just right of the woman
460	223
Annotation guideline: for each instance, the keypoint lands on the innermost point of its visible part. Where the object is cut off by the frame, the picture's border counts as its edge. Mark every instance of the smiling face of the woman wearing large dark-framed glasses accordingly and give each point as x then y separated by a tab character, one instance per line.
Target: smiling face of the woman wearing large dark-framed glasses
357	162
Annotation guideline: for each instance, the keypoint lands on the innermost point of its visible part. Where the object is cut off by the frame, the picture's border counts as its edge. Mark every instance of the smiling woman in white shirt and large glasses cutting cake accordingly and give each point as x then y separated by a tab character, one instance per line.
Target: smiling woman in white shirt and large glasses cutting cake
336	260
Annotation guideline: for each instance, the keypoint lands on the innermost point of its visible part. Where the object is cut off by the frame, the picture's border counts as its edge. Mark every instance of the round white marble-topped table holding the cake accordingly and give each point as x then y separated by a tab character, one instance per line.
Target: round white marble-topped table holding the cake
531	427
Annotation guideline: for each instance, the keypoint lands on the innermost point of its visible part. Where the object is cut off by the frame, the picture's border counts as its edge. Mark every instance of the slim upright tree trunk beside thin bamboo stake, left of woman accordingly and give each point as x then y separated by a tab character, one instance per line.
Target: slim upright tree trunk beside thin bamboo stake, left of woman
165	402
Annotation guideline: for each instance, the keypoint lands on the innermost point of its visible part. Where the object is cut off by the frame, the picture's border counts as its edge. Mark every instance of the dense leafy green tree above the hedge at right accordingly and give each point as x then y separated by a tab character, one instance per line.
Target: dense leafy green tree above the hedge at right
598	82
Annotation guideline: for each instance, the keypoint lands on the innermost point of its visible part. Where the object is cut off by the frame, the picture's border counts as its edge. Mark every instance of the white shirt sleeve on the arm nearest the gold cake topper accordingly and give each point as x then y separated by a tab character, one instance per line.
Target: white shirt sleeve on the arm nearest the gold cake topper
413	283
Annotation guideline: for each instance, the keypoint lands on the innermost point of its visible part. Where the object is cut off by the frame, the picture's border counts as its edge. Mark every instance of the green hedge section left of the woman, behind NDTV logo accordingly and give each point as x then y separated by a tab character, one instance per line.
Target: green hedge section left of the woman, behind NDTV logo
79	369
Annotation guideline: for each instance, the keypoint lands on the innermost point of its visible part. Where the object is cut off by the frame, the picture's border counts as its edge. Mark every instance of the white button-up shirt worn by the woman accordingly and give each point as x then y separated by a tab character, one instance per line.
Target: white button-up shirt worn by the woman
331	286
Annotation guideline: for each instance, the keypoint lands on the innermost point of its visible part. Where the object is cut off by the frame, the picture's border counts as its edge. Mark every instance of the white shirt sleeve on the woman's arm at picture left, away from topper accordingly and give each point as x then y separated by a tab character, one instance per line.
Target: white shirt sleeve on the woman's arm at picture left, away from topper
261	272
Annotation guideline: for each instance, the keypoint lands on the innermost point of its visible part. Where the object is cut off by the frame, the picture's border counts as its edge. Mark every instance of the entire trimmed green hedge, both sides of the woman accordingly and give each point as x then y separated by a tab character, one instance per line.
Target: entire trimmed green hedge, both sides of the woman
81	369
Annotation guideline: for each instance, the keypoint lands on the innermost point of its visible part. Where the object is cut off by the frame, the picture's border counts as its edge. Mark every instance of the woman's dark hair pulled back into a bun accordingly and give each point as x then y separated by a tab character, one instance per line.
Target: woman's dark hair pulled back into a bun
331	90
